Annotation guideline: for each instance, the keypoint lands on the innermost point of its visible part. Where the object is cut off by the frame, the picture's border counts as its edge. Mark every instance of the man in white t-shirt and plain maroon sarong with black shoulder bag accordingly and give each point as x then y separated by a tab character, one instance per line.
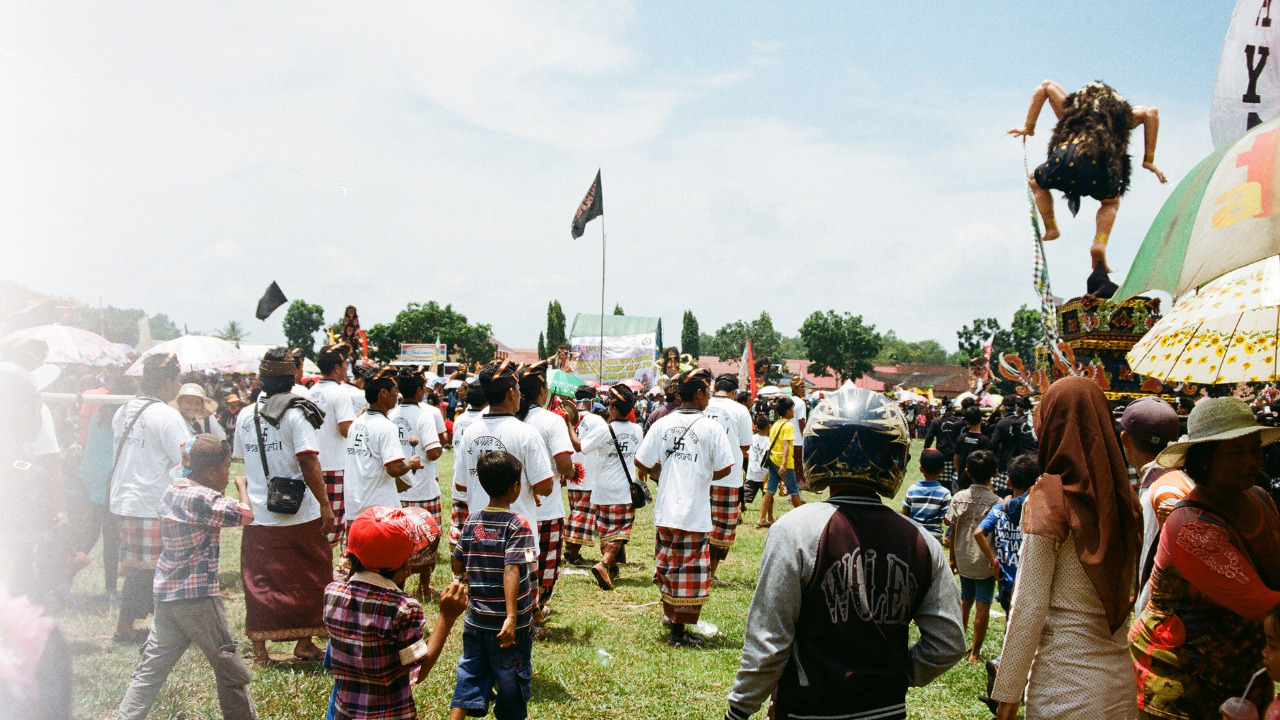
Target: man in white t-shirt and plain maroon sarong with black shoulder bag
286	558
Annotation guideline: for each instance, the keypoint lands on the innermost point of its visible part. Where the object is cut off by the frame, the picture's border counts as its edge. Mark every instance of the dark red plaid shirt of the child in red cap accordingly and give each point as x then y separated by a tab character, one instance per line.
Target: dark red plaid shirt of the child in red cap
376	636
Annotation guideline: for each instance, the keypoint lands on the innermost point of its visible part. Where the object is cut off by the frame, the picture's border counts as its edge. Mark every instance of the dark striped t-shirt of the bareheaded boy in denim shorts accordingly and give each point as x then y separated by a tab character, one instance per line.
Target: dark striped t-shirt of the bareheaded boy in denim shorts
492	540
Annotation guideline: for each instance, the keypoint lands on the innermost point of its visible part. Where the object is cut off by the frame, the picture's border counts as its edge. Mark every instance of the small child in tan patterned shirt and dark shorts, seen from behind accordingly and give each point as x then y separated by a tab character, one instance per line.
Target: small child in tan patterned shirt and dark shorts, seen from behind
977	581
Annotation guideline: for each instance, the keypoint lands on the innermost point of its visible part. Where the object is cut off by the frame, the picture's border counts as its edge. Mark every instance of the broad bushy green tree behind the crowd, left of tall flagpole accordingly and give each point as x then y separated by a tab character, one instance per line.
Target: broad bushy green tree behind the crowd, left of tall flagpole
469	343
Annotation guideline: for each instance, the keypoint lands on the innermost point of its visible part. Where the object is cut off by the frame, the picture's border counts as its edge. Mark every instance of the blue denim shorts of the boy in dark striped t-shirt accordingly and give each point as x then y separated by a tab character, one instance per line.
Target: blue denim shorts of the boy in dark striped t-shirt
488	673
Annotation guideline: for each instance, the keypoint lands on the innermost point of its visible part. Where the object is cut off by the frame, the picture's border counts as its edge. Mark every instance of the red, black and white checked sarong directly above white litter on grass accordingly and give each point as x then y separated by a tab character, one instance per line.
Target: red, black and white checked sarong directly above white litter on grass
683	564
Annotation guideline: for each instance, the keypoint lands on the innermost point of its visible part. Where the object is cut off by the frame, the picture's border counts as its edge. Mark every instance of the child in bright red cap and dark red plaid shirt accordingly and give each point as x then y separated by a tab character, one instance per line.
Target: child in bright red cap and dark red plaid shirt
377	650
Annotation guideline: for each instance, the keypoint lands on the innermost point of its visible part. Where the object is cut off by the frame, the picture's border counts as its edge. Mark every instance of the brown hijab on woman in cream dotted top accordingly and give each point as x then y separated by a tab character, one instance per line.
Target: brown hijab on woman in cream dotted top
1085	491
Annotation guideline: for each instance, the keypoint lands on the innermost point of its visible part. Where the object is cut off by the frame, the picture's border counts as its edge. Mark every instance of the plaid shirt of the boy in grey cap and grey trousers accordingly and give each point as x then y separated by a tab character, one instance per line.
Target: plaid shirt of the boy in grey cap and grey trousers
191	518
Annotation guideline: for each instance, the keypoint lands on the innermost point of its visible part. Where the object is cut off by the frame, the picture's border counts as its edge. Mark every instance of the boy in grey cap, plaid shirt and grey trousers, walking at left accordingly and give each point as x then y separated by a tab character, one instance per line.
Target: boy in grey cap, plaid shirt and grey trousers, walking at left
189	607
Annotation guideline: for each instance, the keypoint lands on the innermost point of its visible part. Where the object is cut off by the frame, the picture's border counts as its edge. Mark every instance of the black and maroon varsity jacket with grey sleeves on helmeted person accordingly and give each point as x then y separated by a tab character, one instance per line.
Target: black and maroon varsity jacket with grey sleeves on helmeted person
840	585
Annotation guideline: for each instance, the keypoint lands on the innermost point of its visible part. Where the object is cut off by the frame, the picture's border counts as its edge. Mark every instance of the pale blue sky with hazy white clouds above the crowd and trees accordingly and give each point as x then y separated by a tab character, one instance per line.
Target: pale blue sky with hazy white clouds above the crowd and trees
756	157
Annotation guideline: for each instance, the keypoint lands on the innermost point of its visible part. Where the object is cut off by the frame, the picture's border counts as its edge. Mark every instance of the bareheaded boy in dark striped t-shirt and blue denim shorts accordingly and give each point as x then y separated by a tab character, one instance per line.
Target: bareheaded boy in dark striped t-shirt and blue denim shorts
497	554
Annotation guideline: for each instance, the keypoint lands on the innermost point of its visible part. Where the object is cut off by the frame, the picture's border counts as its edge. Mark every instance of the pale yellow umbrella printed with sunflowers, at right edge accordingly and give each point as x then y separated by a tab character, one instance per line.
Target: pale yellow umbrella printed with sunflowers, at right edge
1224	334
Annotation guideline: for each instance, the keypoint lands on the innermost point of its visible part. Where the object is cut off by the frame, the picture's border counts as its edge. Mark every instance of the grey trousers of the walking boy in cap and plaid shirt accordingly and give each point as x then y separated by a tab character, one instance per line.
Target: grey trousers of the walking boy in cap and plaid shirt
179	625
